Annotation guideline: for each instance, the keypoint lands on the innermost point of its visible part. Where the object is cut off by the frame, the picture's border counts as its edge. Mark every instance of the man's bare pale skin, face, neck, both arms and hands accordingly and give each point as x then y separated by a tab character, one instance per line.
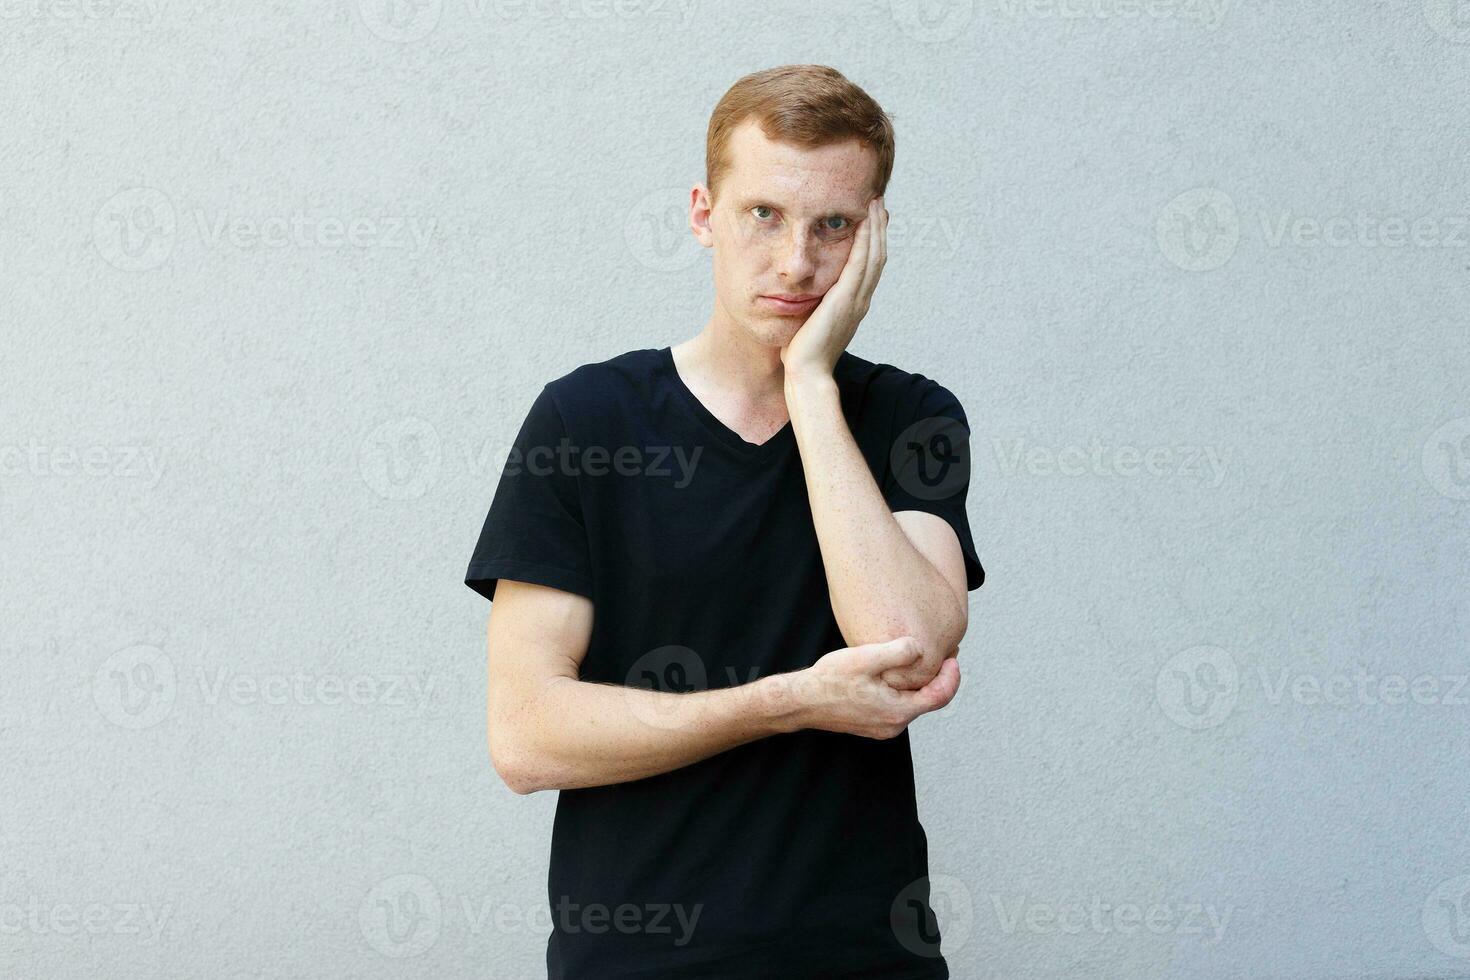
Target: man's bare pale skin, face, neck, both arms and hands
896	580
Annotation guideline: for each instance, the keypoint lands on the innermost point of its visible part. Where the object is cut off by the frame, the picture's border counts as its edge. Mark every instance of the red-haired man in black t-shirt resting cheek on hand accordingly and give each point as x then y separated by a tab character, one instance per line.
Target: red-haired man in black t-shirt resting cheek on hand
731	572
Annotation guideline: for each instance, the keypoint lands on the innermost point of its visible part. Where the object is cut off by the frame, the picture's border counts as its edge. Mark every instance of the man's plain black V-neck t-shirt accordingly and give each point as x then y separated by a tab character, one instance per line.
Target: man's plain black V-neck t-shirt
796	856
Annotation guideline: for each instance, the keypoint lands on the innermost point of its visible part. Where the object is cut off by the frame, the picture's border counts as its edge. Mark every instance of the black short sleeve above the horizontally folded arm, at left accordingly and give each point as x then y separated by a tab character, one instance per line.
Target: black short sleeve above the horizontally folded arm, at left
534	531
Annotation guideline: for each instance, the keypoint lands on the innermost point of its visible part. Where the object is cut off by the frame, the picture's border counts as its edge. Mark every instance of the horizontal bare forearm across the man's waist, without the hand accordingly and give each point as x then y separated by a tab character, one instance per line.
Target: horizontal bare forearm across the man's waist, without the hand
576	734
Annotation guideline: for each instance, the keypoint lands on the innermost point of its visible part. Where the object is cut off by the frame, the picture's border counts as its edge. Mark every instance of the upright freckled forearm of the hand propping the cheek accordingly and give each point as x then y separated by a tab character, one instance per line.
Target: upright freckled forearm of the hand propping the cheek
881	586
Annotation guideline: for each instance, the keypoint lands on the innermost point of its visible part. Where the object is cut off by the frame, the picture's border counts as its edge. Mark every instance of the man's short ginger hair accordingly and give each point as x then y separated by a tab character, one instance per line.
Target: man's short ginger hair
805	105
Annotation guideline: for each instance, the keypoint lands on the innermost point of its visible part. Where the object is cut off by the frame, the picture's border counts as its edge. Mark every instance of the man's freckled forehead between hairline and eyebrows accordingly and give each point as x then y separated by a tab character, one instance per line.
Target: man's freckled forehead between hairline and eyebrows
837	176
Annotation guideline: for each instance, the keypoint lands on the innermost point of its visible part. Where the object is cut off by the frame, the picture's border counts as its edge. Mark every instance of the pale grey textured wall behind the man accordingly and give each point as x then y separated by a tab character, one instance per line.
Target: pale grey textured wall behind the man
280	281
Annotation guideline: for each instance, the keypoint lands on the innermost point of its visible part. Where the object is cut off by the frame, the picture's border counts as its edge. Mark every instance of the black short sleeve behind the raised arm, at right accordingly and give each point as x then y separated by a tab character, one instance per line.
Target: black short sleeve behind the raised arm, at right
930	465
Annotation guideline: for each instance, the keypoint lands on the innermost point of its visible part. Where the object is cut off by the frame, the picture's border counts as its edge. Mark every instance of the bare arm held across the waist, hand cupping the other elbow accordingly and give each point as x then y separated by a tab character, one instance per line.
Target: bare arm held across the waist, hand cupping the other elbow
548	729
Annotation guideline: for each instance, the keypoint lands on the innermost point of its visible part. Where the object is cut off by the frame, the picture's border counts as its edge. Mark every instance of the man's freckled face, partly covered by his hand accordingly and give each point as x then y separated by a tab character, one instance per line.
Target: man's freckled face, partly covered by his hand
783	226
